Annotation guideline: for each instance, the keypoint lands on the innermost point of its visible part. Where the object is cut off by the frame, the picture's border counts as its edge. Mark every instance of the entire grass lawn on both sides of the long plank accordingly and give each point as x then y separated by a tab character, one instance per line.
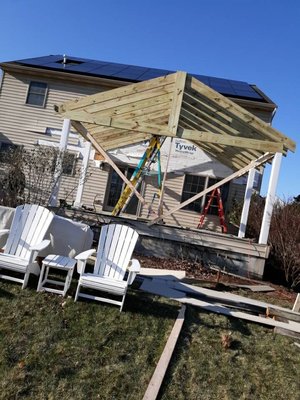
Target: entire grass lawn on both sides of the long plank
53	348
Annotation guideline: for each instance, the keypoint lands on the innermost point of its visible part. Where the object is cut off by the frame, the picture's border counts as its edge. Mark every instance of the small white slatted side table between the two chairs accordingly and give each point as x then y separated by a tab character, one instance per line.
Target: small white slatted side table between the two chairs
56	262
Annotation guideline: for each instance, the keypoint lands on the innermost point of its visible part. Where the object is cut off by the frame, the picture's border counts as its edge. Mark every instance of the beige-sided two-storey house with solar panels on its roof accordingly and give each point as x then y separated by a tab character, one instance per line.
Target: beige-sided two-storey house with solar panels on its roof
31	88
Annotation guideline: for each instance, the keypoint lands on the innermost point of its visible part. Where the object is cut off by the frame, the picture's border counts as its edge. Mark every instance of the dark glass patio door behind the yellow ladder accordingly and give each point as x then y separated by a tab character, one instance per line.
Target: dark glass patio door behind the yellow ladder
115	188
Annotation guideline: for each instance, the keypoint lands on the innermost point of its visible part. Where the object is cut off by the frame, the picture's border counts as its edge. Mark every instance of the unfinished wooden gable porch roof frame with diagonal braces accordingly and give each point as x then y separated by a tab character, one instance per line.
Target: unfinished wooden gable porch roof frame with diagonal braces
180	106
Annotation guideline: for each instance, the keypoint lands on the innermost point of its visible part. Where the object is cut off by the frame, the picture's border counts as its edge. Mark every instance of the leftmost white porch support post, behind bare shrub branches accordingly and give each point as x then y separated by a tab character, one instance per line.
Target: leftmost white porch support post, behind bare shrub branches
58	168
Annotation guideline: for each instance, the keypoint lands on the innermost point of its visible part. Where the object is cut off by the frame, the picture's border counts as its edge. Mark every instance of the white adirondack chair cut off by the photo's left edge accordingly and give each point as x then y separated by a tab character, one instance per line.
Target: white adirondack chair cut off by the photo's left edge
25	240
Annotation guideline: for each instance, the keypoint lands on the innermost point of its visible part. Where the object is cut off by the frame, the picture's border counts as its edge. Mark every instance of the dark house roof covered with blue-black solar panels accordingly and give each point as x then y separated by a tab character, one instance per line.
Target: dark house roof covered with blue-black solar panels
132	73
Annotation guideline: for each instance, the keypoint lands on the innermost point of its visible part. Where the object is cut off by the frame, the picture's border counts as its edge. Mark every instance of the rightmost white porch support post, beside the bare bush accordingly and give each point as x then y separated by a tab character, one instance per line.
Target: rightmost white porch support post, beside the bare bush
270	199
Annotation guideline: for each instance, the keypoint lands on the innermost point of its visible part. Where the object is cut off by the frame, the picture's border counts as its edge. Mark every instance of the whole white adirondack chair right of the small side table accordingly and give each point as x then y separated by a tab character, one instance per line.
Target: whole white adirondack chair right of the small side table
116	245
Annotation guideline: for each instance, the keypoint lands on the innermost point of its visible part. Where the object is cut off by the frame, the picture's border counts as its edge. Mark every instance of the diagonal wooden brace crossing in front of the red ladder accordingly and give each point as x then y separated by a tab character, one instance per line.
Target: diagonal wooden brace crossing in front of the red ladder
255	163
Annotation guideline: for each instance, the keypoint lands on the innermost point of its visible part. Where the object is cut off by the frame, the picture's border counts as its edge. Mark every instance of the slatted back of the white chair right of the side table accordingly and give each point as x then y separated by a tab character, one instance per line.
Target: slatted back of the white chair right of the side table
116	245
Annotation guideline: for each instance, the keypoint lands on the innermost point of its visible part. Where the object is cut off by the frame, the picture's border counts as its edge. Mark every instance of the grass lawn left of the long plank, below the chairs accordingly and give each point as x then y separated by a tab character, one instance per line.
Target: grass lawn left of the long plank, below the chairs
53	348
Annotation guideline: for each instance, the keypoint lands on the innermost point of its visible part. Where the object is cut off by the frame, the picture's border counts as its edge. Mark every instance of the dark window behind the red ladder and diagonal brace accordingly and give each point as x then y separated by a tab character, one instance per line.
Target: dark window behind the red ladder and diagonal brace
193	185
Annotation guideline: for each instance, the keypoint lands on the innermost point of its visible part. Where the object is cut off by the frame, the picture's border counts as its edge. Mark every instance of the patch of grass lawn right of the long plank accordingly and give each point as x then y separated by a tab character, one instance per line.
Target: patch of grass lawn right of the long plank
258	365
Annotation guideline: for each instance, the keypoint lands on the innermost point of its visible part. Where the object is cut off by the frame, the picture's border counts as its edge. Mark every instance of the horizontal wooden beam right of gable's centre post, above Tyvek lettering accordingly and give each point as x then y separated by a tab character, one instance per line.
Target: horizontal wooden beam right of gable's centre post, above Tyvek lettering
228	140
